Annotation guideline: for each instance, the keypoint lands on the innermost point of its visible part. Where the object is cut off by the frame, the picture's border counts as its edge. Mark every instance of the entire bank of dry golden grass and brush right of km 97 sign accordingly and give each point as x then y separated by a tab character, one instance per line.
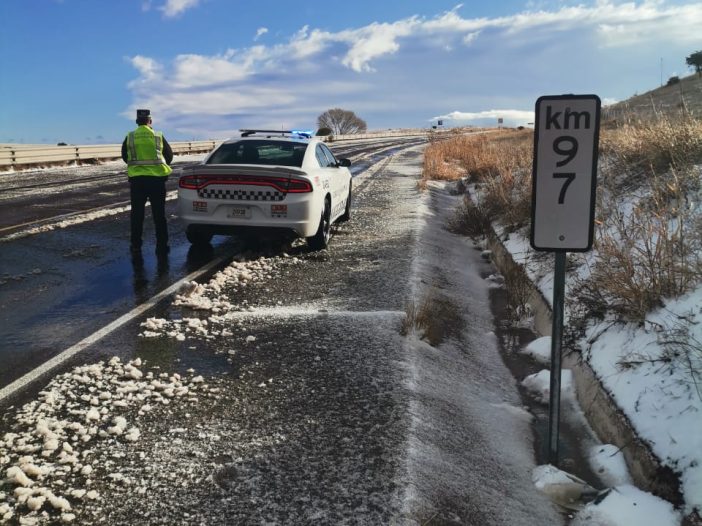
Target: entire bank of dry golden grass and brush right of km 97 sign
651	251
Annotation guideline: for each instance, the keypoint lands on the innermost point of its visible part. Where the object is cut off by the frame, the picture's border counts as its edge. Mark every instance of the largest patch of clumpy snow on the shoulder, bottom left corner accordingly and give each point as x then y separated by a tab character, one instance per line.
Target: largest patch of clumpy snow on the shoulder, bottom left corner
59	451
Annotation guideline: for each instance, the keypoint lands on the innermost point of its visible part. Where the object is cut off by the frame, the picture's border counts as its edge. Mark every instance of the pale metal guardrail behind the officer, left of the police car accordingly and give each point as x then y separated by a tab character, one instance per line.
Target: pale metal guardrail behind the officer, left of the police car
18	155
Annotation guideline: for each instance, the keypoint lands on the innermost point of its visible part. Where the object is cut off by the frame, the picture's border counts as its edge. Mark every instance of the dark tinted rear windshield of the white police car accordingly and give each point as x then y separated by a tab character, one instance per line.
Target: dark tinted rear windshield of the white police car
265	152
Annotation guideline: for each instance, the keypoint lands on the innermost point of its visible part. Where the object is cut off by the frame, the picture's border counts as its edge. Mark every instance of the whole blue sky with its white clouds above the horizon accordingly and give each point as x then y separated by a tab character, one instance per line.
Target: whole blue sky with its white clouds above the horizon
76	70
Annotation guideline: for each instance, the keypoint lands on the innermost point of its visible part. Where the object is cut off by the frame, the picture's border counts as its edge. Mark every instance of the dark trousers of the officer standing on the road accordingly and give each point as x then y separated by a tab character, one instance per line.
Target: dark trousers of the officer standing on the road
153	189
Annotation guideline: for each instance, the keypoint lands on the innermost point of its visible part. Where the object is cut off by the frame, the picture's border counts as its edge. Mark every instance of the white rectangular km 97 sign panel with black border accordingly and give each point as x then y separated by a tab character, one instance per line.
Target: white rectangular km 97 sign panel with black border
565	172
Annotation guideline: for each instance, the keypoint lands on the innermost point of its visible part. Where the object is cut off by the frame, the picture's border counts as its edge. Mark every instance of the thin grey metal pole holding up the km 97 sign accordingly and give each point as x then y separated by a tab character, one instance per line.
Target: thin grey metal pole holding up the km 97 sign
554	407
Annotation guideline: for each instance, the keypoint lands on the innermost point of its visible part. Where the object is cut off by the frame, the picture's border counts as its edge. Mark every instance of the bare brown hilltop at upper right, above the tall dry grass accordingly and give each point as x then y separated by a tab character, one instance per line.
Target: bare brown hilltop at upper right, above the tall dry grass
670	100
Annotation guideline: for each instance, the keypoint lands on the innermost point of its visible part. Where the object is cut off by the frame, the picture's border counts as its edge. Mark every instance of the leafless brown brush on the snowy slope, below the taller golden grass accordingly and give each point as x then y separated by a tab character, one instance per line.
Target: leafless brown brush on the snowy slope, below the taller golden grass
650	253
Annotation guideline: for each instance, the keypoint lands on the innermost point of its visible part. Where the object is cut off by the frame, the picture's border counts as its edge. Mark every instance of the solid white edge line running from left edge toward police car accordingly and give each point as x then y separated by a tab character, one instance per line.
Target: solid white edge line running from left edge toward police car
54	362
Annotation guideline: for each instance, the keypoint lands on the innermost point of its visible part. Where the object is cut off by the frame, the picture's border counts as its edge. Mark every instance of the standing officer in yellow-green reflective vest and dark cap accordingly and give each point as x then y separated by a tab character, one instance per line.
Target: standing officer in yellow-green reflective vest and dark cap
148	156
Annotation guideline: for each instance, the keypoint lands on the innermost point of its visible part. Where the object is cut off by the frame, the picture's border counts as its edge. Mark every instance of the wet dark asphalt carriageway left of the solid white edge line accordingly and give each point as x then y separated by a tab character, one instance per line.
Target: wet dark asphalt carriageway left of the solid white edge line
60	286
